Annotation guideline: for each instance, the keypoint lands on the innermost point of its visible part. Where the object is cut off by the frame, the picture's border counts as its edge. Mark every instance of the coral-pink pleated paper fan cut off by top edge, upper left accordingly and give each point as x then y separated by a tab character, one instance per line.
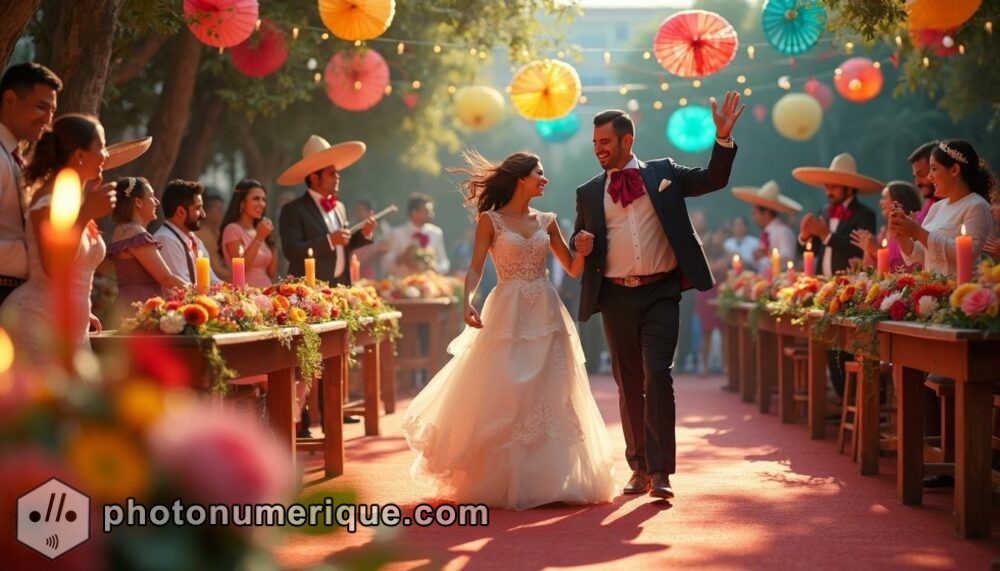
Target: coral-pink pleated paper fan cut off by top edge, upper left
221	23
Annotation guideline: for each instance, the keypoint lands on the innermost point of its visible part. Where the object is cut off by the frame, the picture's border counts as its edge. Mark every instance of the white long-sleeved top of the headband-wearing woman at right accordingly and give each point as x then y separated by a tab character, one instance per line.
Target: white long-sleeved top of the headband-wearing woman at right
943	223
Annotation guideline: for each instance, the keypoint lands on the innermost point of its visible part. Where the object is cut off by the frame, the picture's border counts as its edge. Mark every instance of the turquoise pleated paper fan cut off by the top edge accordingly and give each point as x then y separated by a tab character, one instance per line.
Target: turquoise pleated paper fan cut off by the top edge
793	26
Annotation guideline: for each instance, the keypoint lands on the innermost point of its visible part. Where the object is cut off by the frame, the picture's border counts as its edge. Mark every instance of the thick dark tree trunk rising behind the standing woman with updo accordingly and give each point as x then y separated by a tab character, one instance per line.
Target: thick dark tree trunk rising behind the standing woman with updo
81	52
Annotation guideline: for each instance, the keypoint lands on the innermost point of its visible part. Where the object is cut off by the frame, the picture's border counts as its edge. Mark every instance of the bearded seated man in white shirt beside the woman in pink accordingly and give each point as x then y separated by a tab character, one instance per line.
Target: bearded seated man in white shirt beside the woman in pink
184	212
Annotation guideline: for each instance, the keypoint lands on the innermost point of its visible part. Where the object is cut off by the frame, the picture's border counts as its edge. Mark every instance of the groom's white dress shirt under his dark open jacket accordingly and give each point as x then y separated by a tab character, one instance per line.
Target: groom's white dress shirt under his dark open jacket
637	244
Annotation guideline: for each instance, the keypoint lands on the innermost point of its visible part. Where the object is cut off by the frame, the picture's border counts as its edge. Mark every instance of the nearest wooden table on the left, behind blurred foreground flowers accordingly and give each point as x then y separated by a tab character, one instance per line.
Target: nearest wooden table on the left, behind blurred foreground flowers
262	353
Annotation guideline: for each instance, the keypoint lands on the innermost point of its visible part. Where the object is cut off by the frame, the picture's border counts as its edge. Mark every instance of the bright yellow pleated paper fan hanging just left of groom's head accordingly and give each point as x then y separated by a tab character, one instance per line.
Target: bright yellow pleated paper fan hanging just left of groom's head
545	89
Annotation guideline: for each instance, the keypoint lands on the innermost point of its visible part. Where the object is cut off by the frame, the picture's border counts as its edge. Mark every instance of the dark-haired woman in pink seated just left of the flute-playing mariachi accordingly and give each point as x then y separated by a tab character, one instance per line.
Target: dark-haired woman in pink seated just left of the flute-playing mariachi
245	225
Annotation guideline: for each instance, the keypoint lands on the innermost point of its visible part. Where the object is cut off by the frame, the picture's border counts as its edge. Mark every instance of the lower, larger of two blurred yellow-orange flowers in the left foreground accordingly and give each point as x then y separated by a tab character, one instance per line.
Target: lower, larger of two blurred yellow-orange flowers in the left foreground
109	464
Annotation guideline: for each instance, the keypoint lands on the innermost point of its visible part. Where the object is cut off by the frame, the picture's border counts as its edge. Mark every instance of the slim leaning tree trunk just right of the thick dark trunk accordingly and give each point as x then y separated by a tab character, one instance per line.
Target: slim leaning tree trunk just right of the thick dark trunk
173	110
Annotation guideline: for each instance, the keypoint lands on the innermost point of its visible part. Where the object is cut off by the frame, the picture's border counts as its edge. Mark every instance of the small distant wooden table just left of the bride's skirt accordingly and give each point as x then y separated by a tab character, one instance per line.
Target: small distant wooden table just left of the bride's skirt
441	318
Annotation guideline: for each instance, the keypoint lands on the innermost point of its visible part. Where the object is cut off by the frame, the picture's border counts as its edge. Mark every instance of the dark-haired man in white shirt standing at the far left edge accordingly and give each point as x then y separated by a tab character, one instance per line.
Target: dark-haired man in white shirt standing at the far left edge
28	95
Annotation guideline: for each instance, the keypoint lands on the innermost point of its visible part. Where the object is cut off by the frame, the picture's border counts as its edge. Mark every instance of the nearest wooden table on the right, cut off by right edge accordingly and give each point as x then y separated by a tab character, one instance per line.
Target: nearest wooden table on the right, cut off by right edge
973	360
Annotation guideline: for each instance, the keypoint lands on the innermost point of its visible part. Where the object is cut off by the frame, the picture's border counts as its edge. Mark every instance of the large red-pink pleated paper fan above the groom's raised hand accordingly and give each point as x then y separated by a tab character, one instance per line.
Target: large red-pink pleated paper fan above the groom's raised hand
695	43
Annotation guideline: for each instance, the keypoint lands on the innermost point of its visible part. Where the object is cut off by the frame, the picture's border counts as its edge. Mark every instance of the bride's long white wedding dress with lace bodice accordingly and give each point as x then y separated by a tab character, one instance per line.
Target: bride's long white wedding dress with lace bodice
510	421
